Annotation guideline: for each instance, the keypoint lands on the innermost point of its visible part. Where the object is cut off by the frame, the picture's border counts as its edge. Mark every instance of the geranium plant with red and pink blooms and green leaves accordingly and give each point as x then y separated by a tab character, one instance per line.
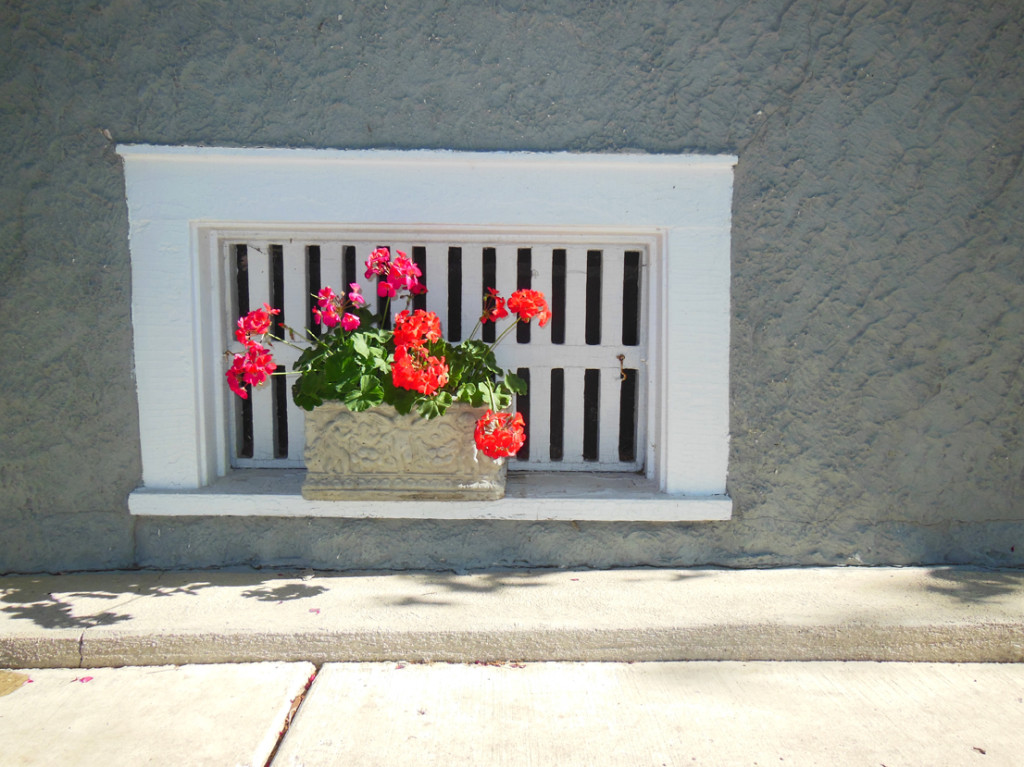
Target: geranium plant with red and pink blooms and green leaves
358	361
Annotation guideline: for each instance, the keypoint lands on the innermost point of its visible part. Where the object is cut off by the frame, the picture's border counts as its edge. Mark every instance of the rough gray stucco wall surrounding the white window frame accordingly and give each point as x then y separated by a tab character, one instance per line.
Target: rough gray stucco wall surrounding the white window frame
878	296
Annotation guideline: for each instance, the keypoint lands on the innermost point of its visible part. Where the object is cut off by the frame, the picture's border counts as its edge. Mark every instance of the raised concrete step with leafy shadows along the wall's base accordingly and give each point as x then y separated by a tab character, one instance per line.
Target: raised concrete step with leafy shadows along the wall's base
150	618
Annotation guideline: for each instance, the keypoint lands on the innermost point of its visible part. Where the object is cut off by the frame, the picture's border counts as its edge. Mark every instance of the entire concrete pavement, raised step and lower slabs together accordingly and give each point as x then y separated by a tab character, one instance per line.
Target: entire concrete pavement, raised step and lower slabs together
105	669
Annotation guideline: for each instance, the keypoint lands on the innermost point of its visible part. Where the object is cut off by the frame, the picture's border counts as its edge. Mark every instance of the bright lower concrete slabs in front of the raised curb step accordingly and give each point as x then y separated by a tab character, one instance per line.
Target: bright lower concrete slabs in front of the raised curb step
519	715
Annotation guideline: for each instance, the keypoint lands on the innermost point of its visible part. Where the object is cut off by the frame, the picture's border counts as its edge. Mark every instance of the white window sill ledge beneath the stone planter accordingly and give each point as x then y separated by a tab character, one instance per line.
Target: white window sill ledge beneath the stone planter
530	496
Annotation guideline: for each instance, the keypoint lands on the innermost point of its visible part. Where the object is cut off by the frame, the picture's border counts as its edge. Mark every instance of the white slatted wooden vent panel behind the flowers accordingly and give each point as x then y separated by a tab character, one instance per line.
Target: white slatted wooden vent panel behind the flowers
586	407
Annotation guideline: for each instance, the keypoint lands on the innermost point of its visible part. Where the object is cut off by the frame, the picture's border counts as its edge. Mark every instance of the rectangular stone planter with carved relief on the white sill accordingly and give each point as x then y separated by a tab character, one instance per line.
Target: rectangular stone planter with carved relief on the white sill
379	455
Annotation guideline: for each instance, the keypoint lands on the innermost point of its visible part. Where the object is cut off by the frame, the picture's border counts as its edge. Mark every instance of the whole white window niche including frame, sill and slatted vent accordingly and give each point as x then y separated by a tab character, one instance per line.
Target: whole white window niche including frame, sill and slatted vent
662	221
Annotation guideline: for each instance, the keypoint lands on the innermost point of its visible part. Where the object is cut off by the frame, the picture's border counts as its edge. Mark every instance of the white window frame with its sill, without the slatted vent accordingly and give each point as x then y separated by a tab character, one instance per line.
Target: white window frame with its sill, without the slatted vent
181	197
